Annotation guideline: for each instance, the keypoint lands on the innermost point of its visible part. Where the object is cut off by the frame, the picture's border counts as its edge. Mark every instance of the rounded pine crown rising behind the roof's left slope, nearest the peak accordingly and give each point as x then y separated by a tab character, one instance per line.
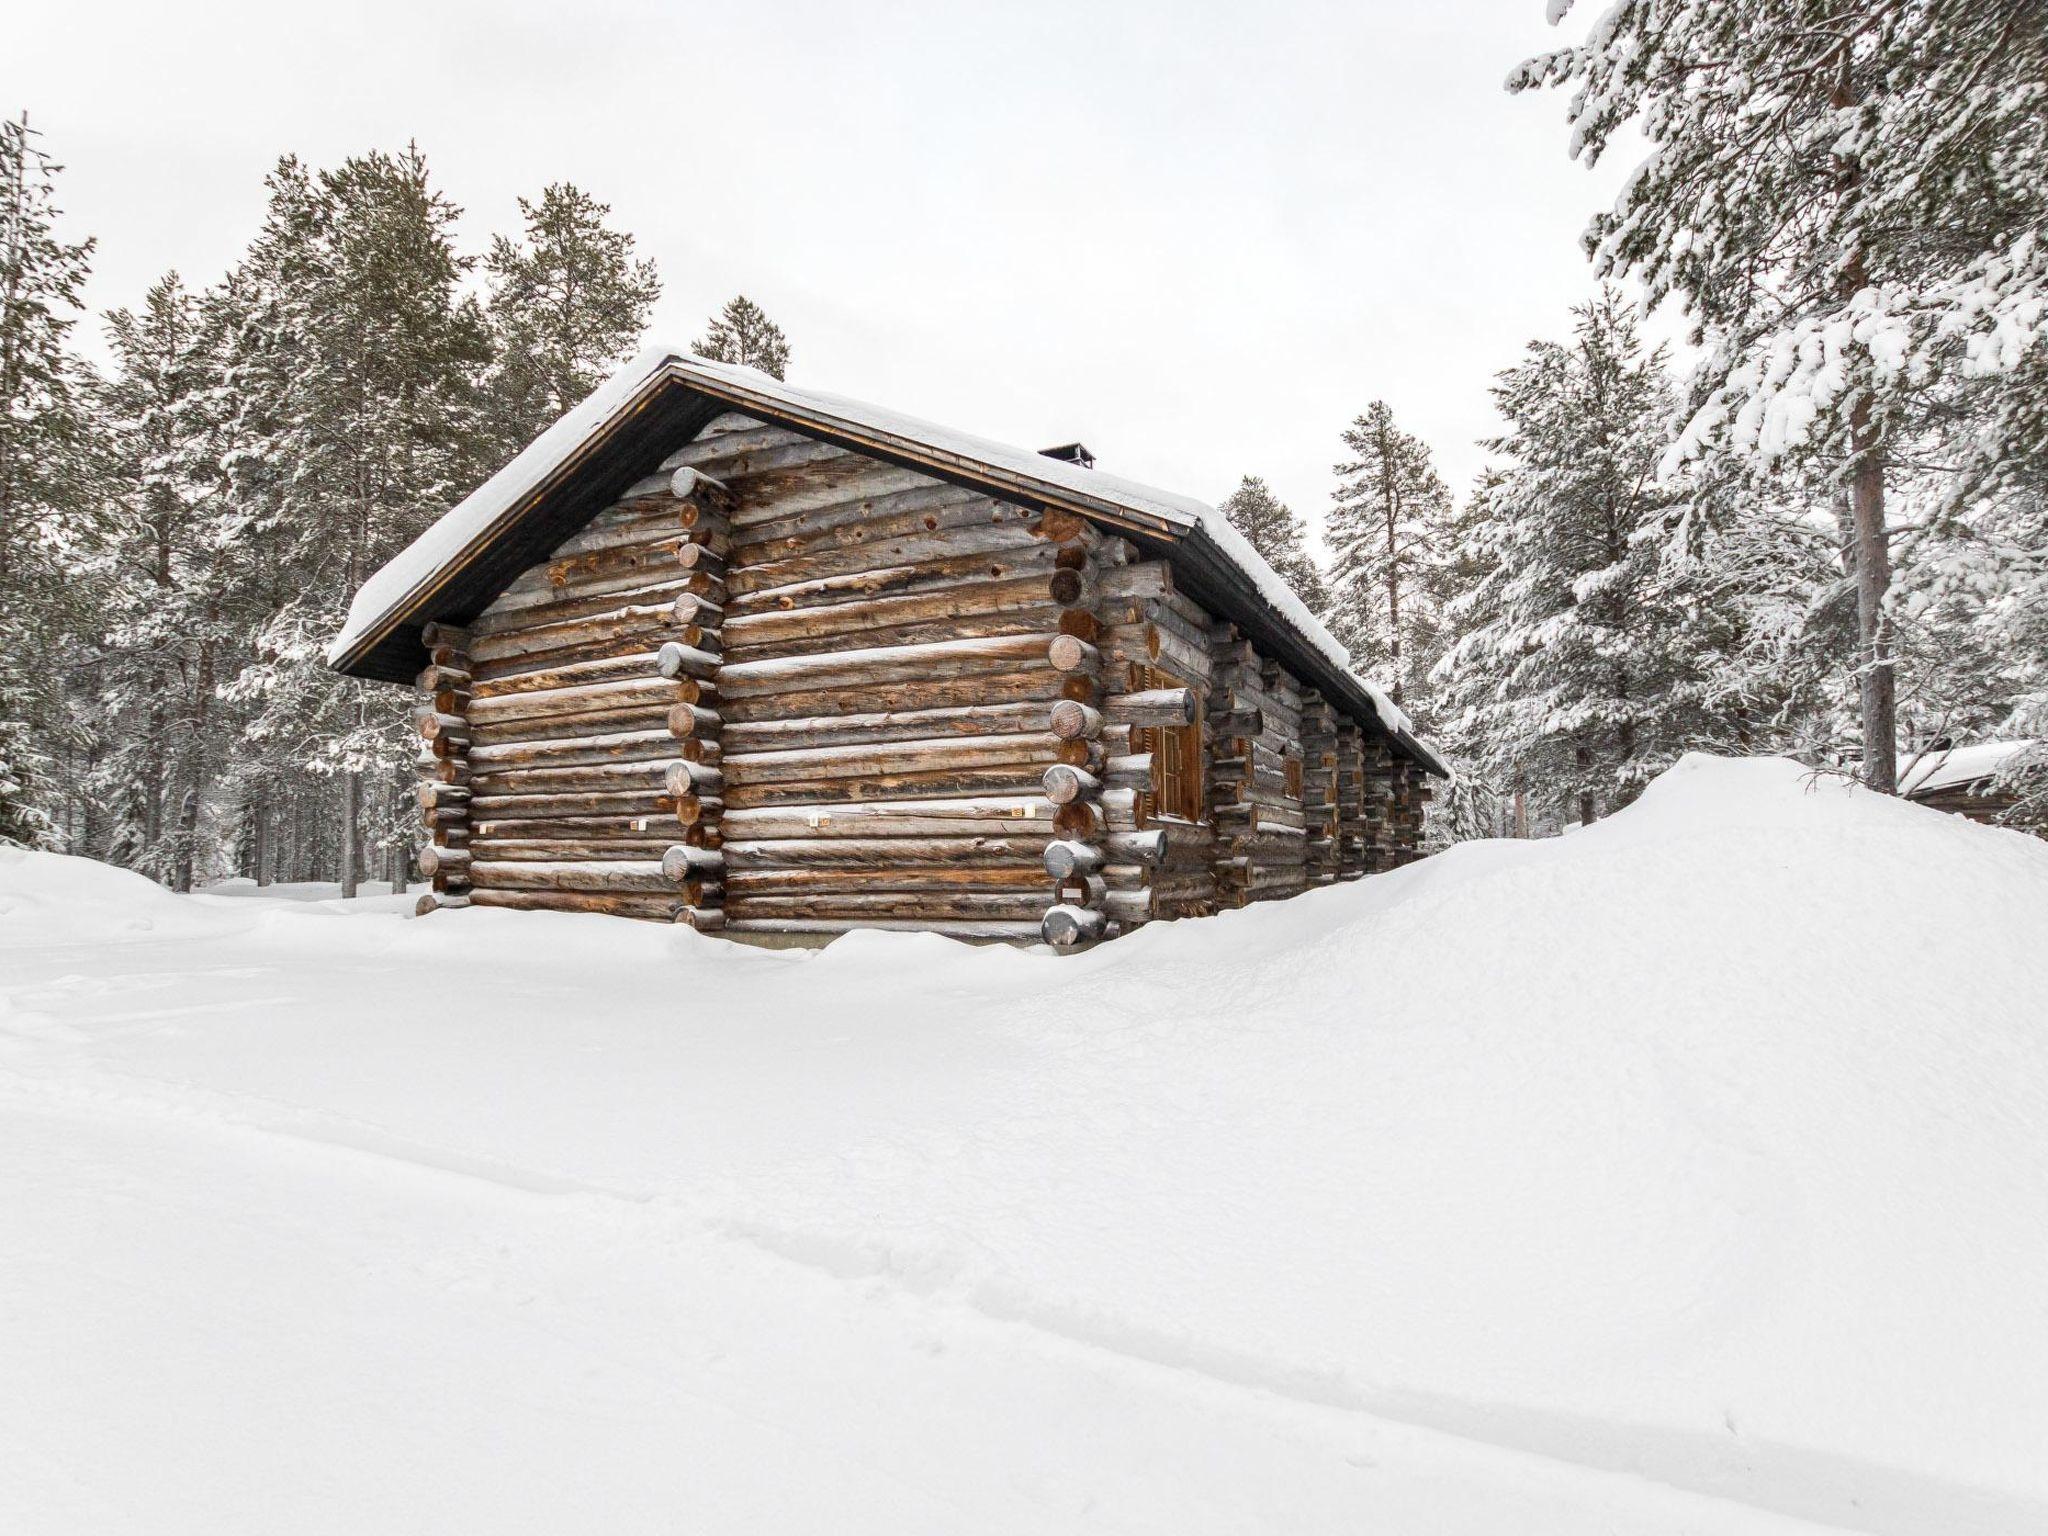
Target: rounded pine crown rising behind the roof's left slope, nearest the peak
568	302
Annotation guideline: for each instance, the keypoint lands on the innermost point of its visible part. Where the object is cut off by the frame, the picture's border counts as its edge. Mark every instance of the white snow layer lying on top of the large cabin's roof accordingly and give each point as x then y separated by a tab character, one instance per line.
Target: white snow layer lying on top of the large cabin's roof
417	566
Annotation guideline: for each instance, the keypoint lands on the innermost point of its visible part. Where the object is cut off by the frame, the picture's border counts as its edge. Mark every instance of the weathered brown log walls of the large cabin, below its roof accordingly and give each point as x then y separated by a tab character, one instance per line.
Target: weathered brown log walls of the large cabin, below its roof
785	689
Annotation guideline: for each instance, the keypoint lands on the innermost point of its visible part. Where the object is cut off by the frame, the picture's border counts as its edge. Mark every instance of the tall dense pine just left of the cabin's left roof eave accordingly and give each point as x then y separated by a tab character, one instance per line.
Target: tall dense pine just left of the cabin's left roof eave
364	427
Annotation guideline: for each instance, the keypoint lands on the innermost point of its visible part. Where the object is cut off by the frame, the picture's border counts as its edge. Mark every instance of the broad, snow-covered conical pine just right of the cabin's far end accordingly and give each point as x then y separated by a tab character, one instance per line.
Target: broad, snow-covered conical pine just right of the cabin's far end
1572	675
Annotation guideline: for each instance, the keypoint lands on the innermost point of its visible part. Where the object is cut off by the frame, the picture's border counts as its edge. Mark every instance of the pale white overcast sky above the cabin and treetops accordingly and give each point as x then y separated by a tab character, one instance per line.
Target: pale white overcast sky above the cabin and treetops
1197	237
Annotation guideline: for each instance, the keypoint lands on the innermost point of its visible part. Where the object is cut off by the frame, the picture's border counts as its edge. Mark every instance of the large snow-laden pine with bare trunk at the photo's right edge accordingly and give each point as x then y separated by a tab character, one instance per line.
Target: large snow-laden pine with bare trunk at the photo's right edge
1848	202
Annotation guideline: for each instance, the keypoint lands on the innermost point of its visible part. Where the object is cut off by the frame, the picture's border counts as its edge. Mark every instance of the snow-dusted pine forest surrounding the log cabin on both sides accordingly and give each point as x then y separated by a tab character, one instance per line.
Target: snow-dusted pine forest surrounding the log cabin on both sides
1809	521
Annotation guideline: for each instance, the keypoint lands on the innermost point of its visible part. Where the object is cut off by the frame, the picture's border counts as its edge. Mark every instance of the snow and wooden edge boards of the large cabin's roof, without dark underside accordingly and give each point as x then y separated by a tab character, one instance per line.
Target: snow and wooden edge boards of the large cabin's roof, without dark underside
411	579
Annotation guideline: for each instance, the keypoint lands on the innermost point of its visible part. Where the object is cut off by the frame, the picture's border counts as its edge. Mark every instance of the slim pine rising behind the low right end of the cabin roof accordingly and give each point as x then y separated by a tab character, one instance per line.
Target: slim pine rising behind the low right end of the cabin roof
1390	531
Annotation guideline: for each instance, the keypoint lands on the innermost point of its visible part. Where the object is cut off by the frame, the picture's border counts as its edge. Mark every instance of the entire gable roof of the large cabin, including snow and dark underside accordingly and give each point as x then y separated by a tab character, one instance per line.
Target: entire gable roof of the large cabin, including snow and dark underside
667	396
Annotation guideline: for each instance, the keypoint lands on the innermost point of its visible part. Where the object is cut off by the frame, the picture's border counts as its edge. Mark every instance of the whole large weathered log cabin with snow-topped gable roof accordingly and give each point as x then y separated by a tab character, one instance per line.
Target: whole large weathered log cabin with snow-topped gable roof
771	663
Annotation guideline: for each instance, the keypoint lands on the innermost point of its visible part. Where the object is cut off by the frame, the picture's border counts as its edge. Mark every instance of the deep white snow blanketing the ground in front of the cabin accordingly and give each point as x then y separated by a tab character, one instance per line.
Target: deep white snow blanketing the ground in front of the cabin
1689	1175
